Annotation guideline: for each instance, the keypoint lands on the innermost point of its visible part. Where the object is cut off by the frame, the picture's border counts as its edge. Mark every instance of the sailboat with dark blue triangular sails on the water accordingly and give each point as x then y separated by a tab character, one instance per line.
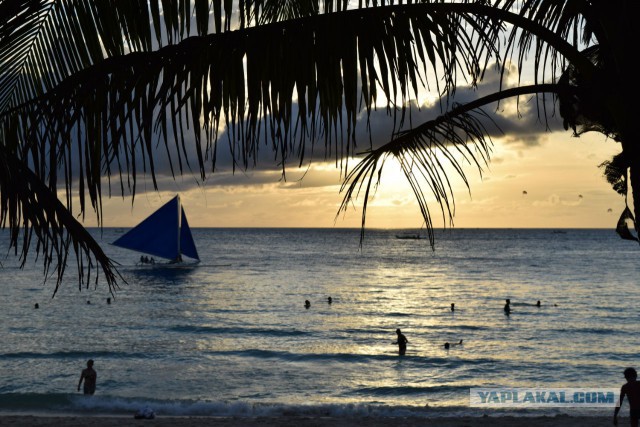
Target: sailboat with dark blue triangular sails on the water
165	234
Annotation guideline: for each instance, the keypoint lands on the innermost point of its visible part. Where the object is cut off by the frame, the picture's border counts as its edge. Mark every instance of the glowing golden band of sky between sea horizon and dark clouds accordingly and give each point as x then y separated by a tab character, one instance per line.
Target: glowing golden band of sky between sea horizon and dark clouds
560	175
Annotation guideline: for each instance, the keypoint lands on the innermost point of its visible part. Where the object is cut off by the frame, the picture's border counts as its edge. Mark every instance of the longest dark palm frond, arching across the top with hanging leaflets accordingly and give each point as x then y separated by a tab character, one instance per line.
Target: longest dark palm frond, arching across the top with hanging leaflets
203	77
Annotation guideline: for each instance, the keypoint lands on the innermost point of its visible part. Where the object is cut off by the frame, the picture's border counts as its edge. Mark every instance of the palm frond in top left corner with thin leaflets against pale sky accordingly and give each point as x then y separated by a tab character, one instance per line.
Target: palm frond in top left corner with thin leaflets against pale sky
43	42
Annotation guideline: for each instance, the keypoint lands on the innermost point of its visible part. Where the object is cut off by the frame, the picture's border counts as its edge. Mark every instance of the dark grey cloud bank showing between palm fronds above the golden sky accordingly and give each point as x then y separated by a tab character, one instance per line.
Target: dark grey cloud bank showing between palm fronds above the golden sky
523	125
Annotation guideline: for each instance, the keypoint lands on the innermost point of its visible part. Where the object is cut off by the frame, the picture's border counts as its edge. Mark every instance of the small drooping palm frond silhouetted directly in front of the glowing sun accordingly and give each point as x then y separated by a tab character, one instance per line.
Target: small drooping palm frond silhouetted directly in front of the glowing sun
460	136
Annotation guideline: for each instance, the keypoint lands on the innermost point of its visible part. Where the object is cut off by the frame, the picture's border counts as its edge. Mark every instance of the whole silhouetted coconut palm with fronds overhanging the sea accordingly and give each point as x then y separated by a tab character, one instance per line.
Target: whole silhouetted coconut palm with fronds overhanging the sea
94	93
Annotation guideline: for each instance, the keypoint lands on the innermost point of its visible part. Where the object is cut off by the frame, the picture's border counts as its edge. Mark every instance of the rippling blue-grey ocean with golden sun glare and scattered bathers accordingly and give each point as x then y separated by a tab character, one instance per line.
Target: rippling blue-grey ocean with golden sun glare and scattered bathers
232	337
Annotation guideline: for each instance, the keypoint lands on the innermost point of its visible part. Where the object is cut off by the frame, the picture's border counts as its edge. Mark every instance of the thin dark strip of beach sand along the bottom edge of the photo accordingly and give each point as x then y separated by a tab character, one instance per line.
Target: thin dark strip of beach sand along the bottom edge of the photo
286	421
